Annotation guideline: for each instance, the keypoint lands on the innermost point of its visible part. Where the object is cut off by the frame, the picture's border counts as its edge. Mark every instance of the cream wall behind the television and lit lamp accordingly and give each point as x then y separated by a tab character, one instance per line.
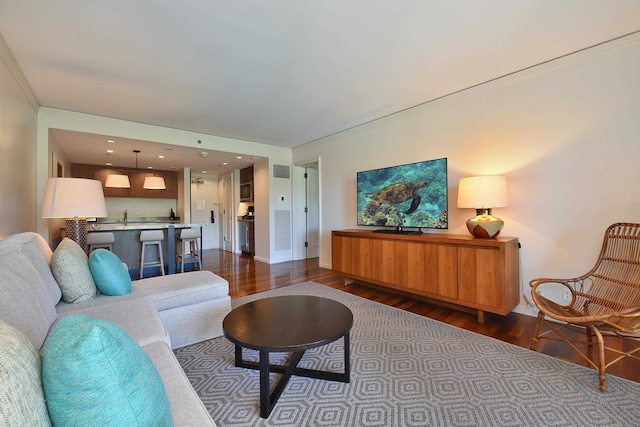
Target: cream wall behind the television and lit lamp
566	134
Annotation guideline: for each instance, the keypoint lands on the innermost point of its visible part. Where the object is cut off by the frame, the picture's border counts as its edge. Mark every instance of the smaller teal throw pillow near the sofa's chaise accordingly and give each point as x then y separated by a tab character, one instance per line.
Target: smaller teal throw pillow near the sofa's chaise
110	275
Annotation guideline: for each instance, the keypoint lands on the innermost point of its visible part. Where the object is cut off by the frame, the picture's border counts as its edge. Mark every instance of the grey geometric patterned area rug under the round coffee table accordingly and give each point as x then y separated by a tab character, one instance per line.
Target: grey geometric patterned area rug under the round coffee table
409	370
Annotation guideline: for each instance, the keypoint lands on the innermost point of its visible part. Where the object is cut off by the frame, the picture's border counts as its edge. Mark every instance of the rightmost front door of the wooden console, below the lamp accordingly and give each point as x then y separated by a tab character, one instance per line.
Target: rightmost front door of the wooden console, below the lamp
479	278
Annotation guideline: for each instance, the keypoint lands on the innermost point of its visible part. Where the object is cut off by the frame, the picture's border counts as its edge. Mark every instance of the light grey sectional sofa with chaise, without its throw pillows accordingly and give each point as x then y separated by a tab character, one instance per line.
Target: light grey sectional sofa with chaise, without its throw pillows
158	314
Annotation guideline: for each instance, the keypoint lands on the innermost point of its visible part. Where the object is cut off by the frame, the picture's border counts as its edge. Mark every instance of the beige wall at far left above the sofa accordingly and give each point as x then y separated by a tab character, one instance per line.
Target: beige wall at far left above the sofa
18	126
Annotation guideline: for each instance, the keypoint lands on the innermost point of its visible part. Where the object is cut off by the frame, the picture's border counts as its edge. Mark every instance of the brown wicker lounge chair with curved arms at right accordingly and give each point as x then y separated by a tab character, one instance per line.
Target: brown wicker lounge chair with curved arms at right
605	302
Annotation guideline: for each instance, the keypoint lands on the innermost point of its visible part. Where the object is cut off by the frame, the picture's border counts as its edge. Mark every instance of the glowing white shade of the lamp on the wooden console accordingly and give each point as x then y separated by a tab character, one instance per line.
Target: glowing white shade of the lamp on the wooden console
482	192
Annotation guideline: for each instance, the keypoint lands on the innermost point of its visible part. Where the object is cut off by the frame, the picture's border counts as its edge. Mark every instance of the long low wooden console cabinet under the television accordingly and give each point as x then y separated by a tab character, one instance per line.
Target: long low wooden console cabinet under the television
462	271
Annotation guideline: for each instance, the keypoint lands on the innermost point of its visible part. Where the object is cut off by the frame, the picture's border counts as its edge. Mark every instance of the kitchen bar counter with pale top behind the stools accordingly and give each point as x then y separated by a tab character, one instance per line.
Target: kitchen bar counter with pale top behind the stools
128	247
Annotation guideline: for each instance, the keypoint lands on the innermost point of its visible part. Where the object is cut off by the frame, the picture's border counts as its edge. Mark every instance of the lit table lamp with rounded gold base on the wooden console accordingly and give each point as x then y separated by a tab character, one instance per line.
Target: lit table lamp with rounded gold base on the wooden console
483	193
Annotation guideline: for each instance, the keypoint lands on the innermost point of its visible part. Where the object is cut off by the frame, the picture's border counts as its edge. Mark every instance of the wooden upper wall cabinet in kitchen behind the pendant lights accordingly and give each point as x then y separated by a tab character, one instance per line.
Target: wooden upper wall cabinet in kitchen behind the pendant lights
136	178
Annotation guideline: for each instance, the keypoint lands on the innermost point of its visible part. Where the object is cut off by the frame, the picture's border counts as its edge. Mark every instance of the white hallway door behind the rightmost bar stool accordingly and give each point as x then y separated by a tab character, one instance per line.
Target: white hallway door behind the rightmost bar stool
204	210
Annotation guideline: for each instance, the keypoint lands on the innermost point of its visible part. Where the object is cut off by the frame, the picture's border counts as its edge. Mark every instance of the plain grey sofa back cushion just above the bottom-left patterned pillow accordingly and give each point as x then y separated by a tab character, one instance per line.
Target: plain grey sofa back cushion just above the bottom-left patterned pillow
24	301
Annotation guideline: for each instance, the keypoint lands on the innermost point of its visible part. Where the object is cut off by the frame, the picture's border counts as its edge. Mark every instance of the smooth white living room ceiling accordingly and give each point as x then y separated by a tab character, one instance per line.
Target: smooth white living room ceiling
286	72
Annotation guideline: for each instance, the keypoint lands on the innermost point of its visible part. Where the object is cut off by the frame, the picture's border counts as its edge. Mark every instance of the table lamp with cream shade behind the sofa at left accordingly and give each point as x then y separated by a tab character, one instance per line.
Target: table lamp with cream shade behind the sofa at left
75	199
